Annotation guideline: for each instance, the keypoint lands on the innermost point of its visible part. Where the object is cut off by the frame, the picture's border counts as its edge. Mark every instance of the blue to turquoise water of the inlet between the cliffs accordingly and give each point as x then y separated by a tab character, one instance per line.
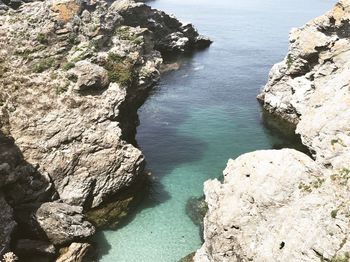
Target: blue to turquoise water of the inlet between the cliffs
203	114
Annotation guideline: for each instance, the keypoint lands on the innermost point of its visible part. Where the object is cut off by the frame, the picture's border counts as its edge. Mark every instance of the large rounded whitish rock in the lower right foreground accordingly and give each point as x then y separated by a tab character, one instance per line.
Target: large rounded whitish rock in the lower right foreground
275	205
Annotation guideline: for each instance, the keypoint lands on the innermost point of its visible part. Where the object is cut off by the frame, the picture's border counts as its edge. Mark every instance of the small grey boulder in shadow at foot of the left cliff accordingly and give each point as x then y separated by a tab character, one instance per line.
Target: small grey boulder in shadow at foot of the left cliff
63	223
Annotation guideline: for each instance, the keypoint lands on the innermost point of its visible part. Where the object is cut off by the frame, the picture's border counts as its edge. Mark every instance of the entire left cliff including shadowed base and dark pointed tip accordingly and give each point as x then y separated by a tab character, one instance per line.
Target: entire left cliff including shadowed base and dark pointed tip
72	76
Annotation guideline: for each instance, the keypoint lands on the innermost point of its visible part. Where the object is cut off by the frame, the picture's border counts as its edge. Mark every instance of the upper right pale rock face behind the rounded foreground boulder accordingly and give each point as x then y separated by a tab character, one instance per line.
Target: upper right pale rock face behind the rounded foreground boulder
311	86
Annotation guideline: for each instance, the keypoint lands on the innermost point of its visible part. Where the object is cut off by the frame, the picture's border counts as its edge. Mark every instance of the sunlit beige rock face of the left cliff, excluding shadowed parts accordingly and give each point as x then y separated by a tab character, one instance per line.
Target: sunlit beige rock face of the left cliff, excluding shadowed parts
62	124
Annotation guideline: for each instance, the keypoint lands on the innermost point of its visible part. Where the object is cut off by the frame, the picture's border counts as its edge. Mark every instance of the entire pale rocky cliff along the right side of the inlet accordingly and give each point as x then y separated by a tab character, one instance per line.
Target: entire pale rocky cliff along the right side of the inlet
283	205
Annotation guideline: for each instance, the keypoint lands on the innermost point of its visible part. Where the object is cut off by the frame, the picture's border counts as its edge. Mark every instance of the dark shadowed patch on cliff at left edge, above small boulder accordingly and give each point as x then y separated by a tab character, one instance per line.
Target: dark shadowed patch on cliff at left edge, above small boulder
24	189
